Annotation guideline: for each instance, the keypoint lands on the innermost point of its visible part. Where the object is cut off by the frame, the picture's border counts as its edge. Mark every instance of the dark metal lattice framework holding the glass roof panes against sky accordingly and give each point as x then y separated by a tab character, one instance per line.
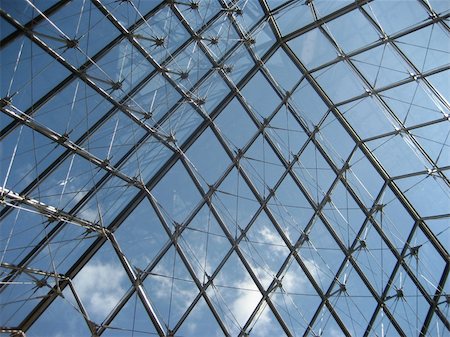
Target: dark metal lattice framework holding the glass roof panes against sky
11	199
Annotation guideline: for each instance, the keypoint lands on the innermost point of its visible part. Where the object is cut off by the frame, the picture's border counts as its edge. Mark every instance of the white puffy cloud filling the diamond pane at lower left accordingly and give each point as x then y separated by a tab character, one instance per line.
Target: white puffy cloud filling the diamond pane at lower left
100	287
